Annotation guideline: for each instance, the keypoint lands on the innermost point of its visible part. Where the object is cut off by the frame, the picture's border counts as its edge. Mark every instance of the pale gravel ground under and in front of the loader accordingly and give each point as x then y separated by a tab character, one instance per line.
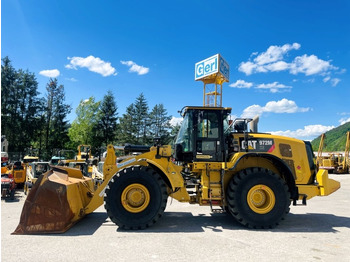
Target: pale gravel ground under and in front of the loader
319	231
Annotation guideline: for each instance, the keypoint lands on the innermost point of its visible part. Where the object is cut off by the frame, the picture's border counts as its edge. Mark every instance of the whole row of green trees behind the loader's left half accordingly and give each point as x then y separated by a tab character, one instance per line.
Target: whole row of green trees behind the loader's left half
37	124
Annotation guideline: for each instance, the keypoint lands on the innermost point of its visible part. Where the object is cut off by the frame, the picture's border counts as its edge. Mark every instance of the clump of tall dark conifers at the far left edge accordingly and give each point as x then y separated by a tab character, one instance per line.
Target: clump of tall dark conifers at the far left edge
20	106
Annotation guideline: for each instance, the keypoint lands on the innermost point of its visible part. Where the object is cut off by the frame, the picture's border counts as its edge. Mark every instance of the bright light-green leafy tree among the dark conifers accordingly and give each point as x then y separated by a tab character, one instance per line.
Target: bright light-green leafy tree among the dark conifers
83	126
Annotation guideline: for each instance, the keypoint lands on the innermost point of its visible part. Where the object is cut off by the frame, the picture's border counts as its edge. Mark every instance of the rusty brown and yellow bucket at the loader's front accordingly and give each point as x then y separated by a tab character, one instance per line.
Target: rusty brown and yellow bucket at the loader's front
56	202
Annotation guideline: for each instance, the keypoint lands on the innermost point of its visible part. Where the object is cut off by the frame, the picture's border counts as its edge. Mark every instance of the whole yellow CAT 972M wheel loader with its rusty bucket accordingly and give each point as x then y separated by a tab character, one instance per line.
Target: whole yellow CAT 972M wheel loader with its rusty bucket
253	176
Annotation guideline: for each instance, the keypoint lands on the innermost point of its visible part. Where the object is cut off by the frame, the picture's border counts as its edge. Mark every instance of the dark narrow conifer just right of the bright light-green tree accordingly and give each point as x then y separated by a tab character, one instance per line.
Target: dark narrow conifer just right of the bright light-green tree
107	117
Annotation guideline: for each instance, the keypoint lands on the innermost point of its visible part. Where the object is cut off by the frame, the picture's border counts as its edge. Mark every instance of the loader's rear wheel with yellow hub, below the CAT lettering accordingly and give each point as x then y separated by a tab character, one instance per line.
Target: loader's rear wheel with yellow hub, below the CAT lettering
258	198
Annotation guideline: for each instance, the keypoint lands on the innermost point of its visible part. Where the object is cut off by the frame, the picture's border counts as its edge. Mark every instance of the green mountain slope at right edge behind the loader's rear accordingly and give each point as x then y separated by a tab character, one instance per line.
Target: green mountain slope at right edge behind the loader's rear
335	139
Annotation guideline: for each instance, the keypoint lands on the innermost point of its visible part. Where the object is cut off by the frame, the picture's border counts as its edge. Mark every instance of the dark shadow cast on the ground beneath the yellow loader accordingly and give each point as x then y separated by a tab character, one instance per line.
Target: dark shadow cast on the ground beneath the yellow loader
185	222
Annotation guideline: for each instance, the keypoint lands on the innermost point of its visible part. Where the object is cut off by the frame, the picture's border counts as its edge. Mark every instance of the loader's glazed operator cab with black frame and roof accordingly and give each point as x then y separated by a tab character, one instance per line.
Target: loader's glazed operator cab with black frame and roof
202	134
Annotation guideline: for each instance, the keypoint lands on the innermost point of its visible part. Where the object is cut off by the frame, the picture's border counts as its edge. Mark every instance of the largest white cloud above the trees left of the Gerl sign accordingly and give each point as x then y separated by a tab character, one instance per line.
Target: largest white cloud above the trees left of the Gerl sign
93	64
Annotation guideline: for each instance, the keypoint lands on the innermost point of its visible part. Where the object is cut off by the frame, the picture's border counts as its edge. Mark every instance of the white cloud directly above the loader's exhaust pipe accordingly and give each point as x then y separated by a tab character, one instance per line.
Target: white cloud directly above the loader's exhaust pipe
279	107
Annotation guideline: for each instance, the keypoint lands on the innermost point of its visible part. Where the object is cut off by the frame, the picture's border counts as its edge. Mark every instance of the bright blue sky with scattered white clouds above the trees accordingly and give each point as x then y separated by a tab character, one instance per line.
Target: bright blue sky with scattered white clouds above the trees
289	60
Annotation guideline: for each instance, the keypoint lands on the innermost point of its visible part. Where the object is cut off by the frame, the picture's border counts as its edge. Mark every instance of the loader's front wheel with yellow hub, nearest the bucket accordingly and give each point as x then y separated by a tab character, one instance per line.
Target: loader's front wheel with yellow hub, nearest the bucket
136	197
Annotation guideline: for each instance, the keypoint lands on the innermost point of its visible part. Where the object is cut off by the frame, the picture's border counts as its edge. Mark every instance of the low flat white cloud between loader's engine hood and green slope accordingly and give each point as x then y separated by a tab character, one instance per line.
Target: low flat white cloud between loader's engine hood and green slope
308	132
